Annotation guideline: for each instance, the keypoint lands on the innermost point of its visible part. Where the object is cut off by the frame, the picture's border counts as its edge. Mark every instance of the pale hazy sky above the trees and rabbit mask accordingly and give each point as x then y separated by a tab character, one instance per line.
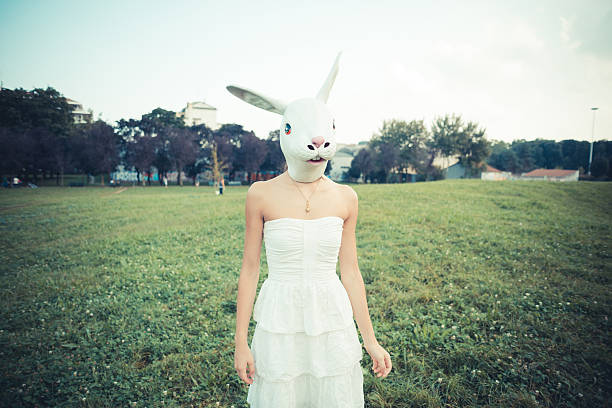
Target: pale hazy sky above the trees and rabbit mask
520	69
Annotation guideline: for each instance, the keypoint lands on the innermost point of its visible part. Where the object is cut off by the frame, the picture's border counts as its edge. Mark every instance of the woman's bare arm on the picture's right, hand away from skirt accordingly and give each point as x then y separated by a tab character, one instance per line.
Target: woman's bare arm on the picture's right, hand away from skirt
351	278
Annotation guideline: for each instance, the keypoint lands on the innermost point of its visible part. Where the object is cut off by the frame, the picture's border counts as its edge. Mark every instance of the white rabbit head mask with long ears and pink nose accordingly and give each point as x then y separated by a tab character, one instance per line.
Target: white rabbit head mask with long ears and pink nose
307	133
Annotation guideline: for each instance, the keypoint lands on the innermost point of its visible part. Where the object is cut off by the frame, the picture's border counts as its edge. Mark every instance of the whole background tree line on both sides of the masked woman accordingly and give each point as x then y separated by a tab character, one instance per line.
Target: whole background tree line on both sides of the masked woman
39	139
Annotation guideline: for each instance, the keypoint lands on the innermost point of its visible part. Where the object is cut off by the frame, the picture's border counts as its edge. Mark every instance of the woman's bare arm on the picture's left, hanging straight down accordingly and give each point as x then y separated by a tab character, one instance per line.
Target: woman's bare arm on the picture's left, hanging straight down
247	283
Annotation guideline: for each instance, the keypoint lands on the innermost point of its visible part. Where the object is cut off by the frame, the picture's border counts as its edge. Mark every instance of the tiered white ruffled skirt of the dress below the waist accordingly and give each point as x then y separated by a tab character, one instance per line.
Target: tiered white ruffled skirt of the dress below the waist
305	346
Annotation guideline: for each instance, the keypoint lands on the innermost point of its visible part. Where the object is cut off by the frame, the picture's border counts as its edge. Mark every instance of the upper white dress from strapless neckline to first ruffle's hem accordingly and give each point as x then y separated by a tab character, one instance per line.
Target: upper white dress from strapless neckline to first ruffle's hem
302	292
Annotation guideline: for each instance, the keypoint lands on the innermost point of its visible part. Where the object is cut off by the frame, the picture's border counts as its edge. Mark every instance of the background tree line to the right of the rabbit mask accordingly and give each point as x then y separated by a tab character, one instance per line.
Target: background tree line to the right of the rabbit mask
401	147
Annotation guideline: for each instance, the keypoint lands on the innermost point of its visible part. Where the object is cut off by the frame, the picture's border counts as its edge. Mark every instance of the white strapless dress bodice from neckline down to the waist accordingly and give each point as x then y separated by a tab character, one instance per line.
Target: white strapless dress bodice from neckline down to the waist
301	250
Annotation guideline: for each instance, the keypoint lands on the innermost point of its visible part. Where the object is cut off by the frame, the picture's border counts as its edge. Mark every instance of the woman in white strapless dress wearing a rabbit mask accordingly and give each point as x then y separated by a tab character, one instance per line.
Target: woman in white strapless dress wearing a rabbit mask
305	350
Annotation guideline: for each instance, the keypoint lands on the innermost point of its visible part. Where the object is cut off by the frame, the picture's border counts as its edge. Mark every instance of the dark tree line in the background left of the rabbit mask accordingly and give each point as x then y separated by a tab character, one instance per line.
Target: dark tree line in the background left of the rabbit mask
39	139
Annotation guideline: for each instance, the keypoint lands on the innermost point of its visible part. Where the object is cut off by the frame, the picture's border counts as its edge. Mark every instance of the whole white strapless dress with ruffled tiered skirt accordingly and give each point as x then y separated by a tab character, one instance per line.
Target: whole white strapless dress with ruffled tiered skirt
305	346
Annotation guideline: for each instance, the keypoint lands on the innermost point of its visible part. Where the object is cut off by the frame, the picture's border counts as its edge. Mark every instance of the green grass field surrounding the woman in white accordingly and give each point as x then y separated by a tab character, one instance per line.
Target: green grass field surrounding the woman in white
484	294
